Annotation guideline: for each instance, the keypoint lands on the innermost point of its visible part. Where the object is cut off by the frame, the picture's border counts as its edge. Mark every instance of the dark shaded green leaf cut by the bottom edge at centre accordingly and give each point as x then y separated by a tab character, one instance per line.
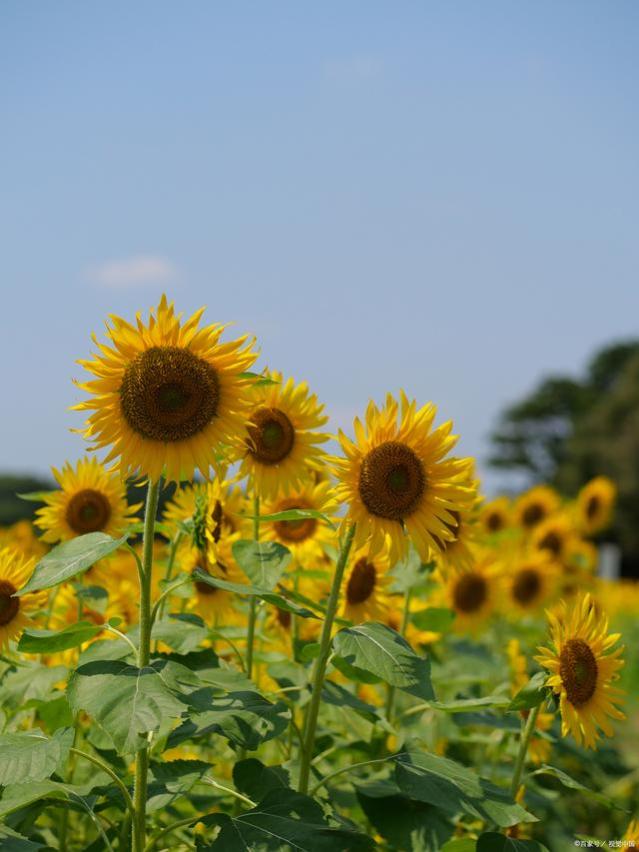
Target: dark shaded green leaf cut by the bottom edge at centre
282	820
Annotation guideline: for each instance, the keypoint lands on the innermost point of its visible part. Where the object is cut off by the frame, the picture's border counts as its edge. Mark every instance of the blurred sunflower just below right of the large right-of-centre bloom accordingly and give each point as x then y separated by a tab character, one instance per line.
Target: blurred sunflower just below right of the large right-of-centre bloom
473	594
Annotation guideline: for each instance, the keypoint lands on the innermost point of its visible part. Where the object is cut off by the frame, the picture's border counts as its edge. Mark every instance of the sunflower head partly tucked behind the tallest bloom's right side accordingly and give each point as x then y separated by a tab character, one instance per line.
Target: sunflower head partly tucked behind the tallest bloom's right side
283	435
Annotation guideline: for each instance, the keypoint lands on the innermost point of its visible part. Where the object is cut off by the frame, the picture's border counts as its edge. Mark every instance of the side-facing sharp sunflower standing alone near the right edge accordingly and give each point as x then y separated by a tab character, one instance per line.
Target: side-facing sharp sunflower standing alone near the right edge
583	667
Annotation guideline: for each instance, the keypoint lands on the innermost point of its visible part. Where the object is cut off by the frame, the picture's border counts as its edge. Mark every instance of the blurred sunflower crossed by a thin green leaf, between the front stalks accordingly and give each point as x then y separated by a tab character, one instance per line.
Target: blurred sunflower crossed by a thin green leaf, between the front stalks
305	538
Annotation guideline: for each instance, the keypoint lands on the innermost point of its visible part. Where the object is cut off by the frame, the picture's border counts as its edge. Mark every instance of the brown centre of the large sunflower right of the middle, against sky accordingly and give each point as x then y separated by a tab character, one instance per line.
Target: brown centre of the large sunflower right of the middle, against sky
391	481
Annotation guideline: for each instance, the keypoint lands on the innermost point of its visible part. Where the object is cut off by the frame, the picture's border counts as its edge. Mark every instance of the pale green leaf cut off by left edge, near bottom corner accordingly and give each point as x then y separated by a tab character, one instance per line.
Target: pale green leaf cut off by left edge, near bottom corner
32	756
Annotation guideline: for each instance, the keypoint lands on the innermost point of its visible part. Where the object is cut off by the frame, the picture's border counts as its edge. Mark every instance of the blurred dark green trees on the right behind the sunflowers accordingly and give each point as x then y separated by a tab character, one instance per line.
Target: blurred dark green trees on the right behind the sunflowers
569	430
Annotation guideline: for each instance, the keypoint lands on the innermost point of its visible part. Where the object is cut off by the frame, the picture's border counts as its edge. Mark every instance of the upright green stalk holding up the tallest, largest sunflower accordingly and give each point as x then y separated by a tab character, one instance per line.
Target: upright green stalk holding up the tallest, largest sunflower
144	654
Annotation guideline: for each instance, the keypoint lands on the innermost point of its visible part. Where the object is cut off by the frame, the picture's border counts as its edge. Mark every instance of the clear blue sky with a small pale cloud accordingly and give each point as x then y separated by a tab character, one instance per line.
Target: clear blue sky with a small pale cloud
430	195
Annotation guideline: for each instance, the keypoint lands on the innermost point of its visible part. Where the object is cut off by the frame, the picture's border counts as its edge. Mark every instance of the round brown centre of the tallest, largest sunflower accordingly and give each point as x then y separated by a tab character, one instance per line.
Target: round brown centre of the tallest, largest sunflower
169	394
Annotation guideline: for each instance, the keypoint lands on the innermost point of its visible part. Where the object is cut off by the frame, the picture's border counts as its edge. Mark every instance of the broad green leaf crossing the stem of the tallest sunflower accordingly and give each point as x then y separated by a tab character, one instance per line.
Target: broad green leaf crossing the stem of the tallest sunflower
127	702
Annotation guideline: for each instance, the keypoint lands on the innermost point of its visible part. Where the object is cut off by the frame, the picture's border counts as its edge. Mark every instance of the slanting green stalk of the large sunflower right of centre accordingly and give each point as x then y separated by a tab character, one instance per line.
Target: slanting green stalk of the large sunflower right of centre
322	661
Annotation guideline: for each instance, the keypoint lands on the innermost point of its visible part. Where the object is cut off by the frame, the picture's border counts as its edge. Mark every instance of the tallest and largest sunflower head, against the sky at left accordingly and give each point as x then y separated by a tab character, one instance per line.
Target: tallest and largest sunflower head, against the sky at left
166	394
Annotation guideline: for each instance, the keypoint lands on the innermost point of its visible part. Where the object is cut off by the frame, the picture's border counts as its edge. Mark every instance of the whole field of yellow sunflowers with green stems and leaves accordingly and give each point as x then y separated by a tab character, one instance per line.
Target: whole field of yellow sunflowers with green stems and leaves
308	648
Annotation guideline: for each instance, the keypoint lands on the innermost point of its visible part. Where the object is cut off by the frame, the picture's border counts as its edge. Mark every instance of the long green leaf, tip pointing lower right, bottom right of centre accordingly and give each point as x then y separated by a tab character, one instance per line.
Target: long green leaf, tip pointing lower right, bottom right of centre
452	787
